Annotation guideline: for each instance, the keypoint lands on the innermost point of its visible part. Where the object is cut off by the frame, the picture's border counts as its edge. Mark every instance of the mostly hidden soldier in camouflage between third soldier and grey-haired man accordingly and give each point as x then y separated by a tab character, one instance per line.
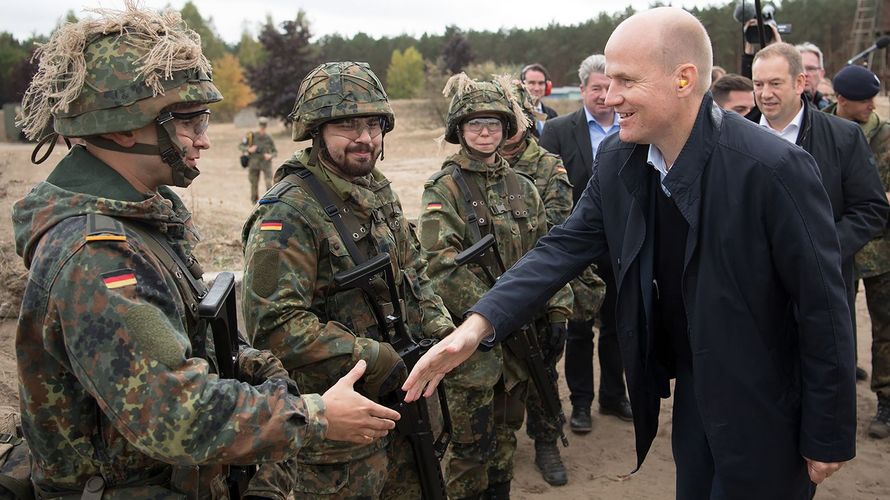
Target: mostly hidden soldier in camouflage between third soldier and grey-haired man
524	154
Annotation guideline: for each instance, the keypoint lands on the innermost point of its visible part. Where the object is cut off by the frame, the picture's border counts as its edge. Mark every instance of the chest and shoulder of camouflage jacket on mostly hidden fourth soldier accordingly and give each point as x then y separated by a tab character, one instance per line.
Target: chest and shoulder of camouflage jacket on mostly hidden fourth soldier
551	180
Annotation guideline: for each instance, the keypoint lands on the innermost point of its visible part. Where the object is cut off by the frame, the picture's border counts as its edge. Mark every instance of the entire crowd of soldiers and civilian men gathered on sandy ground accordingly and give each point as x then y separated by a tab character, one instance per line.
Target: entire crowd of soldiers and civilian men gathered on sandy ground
719	252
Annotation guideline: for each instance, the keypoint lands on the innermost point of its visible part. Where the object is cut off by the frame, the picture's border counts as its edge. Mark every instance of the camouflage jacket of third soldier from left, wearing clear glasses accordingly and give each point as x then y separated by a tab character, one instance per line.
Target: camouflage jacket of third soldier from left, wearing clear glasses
444	232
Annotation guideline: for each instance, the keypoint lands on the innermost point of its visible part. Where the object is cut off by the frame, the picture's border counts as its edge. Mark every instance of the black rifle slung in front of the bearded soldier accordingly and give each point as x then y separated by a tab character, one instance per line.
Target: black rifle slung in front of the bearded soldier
415	423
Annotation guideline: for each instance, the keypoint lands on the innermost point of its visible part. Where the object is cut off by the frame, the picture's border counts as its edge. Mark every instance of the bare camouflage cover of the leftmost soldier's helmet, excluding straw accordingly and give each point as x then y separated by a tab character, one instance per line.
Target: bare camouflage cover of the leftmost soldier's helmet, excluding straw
112	101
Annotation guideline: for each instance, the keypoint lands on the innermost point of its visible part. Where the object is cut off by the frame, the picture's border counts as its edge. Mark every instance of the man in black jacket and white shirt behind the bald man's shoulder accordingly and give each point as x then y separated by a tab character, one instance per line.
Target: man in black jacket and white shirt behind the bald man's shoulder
849	173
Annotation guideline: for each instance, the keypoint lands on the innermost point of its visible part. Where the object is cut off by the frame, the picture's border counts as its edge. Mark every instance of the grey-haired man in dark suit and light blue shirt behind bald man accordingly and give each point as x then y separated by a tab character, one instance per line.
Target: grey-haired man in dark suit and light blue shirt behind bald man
575	138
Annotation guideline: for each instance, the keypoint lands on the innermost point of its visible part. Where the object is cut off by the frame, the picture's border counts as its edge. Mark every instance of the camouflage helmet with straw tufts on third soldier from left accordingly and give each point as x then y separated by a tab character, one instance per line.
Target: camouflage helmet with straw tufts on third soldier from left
474	98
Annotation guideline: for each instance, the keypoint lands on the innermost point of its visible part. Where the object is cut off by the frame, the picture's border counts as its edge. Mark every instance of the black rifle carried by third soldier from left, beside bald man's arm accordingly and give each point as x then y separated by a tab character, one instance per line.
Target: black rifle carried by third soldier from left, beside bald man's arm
524	343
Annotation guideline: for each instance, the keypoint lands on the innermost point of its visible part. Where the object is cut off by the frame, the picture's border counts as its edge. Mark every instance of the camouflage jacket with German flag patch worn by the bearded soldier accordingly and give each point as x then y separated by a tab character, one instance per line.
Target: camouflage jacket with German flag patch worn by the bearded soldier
292	251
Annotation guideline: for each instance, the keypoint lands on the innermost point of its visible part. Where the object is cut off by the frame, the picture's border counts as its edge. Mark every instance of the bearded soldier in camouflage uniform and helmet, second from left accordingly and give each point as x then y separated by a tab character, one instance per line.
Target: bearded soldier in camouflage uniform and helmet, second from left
293	249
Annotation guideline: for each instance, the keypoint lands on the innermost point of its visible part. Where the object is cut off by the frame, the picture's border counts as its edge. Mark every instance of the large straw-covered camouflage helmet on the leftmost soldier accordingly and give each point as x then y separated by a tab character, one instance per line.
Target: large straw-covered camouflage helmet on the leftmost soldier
116	73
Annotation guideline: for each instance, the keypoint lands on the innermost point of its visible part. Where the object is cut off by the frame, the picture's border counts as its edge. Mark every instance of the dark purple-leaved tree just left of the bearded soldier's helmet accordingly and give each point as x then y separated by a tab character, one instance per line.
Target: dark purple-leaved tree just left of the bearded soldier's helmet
290	58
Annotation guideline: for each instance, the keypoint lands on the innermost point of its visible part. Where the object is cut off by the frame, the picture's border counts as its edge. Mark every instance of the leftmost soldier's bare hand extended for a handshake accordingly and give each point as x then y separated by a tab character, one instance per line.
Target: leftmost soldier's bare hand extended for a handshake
353	417
